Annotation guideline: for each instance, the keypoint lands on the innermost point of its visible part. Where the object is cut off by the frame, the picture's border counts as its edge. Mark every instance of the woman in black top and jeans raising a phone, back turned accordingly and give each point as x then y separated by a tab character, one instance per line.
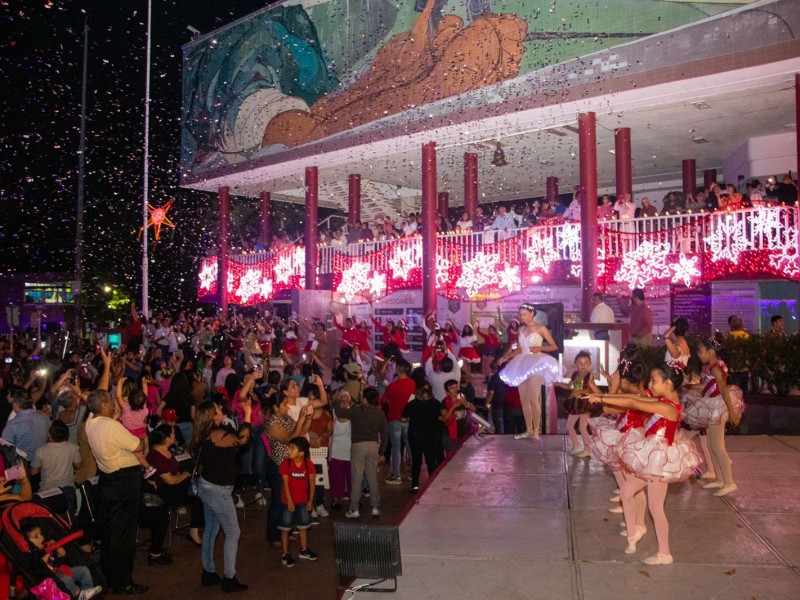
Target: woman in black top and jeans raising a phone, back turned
217	447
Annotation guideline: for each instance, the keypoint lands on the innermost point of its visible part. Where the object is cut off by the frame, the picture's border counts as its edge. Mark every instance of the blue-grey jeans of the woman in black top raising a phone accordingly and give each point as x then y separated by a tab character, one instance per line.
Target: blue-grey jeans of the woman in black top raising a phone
219	512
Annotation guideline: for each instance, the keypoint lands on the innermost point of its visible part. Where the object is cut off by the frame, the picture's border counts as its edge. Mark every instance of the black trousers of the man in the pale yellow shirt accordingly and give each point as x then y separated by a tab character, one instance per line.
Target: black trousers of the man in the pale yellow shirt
119	496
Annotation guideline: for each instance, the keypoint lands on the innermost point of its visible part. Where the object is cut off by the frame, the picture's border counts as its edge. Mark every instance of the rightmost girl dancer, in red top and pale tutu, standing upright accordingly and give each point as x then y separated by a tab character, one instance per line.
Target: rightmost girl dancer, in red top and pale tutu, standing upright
719	404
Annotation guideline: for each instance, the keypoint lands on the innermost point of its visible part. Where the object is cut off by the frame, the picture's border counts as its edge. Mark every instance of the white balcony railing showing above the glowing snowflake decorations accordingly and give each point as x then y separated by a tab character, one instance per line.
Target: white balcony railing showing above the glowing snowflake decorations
754	228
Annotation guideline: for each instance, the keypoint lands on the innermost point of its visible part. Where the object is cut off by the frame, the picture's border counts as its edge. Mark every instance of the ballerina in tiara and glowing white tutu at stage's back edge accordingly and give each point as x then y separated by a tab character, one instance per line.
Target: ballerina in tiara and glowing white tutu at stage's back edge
529	367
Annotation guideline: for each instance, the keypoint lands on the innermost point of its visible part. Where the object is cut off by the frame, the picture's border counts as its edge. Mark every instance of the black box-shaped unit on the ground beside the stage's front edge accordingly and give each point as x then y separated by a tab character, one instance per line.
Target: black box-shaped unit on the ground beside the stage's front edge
368	552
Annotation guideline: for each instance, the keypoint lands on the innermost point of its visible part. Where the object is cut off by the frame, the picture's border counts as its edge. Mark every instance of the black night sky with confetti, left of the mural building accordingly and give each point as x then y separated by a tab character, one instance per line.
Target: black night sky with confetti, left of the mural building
40	76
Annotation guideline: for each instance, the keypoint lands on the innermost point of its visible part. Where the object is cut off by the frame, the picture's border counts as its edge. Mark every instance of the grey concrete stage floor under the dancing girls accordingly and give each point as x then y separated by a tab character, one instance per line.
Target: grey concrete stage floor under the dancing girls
520	519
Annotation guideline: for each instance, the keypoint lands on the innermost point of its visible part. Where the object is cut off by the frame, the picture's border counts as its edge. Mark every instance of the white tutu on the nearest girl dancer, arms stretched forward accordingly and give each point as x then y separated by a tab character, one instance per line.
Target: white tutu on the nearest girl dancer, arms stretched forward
654	459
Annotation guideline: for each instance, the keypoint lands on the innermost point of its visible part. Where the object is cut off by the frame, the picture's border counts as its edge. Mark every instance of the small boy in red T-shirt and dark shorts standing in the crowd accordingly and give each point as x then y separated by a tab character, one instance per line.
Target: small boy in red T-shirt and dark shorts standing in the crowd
298	474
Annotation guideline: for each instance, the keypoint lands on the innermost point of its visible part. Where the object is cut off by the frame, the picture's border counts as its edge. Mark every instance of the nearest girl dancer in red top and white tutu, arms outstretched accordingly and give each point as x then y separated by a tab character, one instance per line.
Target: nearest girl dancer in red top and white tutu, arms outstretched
656	454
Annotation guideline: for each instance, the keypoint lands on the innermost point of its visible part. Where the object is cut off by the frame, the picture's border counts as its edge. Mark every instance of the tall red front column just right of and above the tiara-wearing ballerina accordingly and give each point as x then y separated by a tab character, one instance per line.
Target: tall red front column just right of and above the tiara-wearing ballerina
587	141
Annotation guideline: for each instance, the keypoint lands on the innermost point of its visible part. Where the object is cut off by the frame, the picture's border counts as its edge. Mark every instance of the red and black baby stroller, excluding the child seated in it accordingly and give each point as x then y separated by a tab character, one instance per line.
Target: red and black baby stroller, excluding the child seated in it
17	549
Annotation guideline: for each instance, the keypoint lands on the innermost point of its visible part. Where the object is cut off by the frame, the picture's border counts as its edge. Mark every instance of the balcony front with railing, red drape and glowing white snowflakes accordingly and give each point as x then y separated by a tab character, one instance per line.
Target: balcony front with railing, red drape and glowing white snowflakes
682	250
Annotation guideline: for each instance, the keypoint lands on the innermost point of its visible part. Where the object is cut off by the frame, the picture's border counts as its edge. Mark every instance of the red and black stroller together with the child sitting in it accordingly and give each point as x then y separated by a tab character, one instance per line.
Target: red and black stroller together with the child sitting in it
24	529
